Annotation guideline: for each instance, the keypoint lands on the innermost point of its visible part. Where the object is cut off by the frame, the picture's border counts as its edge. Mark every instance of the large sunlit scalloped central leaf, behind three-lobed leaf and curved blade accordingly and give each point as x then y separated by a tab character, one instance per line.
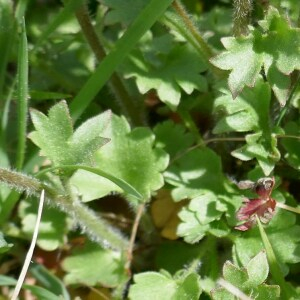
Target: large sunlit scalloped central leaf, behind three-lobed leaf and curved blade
130	156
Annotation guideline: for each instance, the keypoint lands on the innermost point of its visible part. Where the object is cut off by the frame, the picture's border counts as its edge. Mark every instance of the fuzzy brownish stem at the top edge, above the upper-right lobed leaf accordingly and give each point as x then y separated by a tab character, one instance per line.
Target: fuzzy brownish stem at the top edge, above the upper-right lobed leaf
241	16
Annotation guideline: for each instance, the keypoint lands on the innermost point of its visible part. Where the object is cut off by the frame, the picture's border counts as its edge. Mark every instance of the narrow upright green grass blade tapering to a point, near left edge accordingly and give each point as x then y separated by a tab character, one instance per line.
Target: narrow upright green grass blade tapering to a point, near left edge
22	96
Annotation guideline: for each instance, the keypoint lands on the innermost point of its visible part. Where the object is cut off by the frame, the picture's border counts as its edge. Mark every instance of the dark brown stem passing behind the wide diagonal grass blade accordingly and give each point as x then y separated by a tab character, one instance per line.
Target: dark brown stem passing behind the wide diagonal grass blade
128	105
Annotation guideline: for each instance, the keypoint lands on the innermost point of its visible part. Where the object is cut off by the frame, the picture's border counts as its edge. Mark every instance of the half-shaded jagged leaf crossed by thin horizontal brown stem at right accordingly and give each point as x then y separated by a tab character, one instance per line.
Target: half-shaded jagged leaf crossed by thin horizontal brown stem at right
250	113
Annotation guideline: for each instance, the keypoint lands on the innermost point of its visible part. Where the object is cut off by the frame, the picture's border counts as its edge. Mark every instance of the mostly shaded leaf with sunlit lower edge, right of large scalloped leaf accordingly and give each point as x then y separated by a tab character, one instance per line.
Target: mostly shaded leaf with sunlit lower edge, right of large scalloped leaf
195	172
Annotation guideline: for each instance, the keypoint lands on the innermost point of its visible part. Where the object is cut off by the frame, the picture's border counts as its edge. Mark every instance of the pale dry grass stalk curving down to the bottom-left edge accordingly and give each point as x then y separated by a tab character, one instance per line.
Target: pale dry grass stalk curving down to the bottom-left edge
30	250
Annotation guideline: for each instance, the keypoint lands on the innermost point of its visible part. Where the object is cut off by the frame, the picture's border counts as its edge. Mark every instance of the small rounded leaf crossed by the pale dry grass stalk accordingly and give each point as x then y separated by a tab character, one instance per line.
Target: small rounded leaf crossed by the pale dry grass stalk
52	228
